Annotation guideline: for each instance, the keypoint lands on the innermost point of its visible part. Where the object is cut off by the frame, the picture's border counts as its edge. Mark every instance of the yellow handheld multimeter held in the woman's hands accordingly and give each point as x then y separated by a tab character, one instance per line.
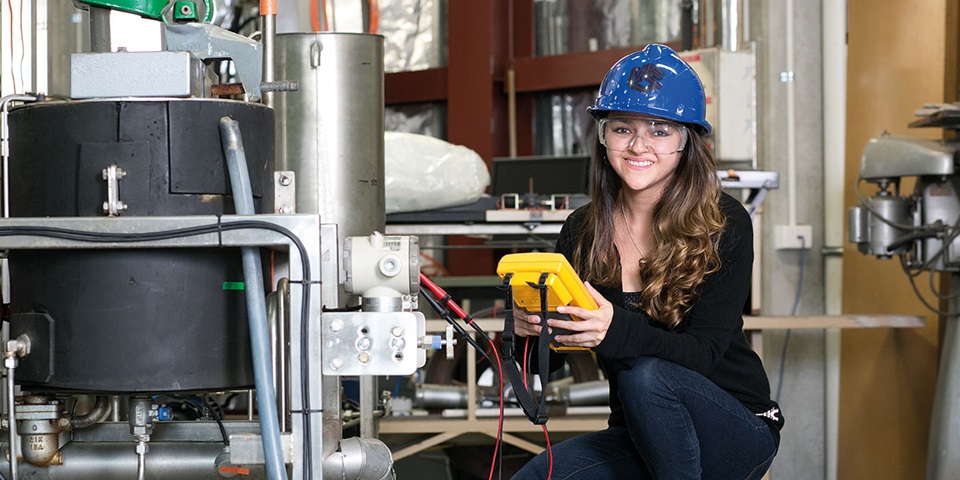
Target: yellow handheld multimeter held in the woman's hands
563	285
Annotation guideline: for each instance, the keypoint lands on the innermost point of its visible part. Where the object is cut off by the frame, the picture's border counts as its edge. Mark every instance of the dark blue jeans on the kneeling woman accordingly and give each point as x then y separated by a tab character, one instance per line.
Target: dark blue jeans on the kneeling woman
680	425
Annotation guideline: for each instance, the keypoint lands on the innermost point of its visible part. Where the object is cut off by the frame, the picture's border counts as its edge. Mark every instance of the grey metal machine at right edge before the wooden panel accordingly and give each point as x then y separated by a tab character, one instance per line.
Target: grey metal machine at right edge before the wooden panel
921	228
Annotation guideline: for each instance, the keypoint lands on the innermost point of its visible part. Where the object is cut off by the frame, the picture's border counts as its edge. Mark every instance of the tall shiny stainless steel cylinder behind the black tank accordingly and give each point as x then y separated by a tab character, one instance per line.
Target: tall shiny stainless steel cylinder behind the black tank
330	132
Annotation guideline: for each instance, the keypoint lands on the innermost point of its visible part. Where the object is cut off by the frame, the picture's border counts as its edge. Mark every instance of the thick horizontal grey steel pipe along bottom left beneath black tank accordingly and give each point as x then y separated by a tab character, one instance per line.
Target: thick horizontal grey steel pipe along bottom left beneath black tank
118	461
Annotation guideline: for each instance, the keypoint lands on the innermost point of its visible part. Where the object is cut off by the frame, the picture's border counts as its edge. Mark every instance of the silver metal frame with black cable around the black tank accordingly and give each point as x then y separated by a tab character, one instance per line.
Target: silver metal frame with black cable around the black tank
314	236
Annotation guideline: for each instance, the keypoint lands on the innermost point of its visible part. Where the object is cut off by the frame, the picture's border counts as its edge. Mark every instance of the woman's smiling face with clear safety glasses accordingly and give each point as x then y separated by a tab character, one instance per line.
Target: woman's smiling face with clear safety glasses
644	151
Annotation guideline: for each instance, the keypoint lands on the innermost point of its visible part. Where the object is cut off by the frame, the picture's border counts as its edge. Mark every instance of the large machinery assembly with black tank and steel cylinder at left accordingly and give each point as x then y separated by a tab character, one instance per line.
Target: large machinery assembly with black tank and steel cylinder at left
161	252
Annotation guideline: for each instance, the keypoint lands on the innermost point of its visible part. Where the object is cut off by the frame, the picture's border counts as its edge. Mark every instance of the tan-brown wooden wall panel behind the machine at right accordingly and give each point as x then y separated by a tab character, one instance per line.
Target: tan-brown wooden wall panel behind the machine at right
897	60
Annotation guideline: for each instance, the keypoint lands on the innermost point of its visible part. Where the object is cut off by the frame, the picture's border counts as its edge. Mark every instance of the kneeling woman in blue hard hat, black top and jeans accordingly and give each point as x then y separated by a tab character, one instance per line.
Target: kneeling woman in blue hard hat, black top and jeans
689	398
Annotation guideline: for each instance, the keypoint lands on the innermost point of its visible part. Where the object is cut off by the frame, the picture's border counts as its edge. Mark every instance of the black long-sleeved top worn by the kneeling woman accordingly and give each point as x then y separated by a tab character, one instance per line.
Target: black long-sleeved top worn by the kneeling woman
709	339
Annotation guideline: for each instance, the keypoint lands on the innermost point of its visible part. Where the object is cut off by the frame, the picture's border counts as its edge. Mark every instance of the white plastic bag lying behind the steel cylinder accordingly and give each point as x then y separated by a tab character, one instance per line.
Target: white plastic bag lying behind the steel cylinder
426	173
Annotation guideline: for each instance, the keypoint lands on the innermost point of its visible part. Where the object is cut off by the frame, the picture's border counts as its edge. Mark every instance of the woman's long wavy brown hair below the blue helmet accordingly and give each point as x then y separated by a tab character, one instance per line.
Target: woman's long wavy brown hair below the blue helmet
687	225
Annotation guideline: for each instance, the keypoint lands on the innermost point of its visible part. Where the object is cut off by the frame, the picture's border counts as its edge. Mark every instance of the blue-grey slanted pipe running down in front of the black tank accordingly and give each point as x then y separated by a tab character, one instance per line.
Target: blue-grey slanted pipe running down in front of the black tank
256	303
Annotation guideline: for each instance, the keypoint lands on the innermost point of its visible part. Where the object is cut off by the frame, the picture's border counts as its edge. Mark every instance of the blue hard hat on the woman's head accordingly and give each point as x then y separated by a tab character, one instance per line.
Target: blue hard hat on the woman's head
654	81
